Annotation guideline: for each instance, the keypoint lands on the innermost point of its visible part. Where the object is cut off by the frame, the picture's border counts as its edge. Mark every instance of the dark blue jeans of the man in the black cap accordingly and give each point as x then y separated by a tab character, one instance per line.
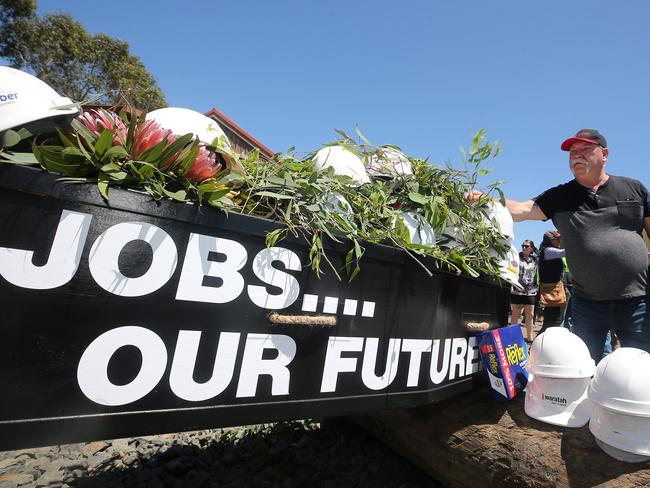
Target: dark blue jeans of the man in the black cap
629	318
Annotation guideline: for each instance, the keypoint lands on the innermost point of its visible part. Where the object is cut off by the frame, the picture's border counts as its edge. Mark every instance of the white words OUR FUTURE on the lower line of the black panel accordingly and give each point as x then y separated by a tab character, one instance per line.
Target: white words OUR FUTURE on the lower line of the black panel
92	372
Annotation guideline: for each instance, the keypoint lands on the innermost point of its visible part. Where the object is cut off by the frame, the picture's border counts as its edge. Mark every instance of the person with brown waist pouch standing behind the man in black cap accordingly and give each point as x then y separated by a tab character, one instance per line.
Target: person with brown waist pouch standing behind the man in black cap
551	270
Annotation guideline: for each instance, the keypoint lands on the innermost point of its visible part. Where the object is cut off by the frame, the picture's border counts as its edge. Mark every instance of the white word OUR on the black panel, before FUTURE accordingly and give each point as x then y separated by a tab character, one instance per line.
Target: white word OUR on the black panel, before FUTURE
92	371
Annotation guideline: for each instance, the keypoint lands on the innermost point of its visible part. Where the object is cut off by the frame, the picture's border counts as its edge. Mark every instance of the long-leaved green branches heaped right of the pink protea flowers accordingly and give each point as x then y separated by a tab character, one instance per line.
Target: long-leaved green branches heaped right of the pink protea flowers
319	205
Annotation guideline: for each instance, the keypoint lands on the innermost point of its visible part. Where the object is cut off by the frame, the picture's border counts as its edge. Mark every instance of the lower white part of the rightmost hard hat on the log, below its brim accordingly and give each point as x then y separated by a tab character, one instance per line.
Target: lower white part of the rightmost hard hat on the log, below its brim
628	433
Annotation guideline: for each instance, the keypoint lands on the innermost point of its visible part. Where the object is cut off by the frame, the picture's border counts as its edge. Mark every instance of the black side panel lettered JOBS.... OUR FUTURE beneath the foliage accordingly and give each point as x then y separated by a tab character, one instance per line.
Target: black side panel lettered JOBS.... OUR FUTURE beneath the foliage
140	317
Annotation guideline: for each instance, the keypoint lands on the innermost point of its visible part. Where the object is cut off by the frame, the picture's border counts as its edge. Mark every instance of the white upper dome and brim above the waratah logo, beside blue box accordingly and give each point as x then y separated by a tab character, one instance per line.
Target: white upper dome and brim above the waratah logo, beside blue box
558	353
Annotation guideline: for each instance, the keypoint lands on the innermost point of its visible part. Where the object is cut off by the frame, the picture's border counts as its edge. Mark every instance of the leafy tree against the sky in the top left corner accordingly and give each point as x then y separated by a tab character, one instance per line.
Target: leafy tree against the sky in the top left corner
58	50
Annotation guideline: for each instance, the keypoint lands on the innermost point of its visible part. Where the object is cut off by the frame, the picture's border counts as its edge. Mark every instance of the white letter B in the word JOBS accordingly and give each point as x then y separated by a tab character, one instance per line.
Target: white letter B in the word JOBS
197	266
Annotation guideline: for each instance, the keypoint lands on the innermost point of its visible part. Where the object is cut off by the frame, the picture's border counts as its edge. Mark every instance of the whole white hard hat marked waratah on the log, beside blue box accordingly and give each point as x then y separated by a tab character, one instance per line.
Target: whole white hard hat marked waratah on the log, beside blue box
561	368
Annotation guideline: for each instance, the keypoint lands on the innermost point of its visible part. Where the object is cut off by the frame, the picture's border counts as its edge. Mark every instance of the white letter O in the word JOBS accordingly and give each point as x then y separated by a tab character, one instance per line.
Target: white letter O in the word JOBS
105	253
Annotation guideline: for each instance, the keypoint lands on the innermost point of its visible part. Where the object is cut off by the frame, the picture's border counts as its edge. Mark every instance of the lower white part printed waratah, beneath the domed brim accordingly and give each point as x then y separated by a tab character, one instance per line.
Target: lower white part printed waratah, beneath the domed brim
558	401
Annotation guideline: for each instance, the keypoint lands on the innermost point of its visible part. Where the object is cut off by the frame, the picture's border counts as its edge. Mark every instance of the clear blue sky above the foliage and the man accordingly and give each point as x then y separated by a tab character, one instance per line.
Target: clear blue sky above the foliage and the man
423	75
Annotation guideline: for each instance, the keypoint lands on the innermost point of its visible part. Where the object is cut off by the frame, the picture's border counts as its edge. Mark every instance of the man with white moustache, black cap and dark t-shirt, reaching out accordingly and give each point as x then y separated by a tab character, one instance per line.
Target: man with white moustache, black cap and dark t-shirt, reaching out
601	218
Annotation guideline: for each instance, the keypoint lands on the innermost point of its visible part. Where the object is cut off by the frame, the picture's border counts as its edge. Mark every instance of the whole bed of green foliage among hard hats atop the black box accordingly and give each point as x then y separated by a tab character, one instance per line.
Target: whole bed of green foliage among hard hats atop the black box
318	207
